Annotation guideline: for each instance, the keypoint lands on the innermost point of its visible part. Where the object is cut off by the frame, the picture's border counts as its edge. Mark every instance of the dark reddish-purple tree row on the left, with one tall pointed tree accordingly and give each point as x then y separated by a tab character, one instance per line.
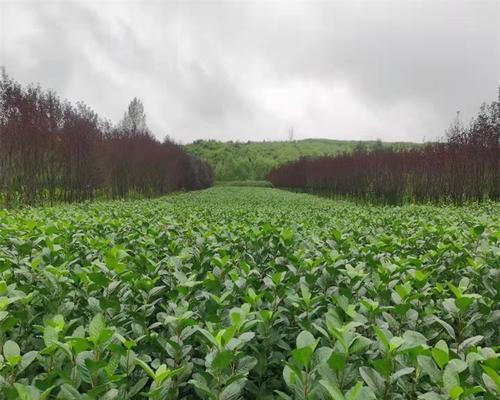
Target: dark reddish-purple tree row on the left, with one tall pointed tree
53	151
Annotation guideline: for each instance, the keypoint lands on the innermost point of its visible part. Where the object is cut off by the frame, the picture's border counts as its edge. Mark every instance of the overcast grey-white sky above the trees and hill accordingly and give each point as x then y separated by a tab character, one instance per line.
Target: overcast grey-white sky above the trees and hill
252	70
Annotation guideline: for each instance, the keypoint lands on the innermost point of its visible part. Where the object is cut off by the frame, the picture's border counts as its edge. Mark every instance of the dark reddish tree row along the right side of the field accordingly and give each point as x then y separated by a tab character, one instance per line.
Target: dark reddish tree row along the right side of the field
463	167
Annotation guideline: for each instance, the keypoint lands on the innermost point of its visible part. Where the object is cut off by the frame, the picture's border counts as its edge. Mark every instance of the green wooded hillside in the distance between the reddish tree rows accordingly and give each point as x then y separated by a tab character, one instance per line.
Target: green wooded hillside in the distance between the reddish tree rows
253	160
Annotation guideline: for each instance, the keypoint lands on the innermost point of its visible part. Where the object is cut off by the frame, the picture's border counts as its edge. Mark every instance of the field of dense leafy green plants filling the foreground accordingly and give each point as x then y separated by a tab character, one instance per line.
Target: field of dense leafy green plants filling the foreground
249	293
